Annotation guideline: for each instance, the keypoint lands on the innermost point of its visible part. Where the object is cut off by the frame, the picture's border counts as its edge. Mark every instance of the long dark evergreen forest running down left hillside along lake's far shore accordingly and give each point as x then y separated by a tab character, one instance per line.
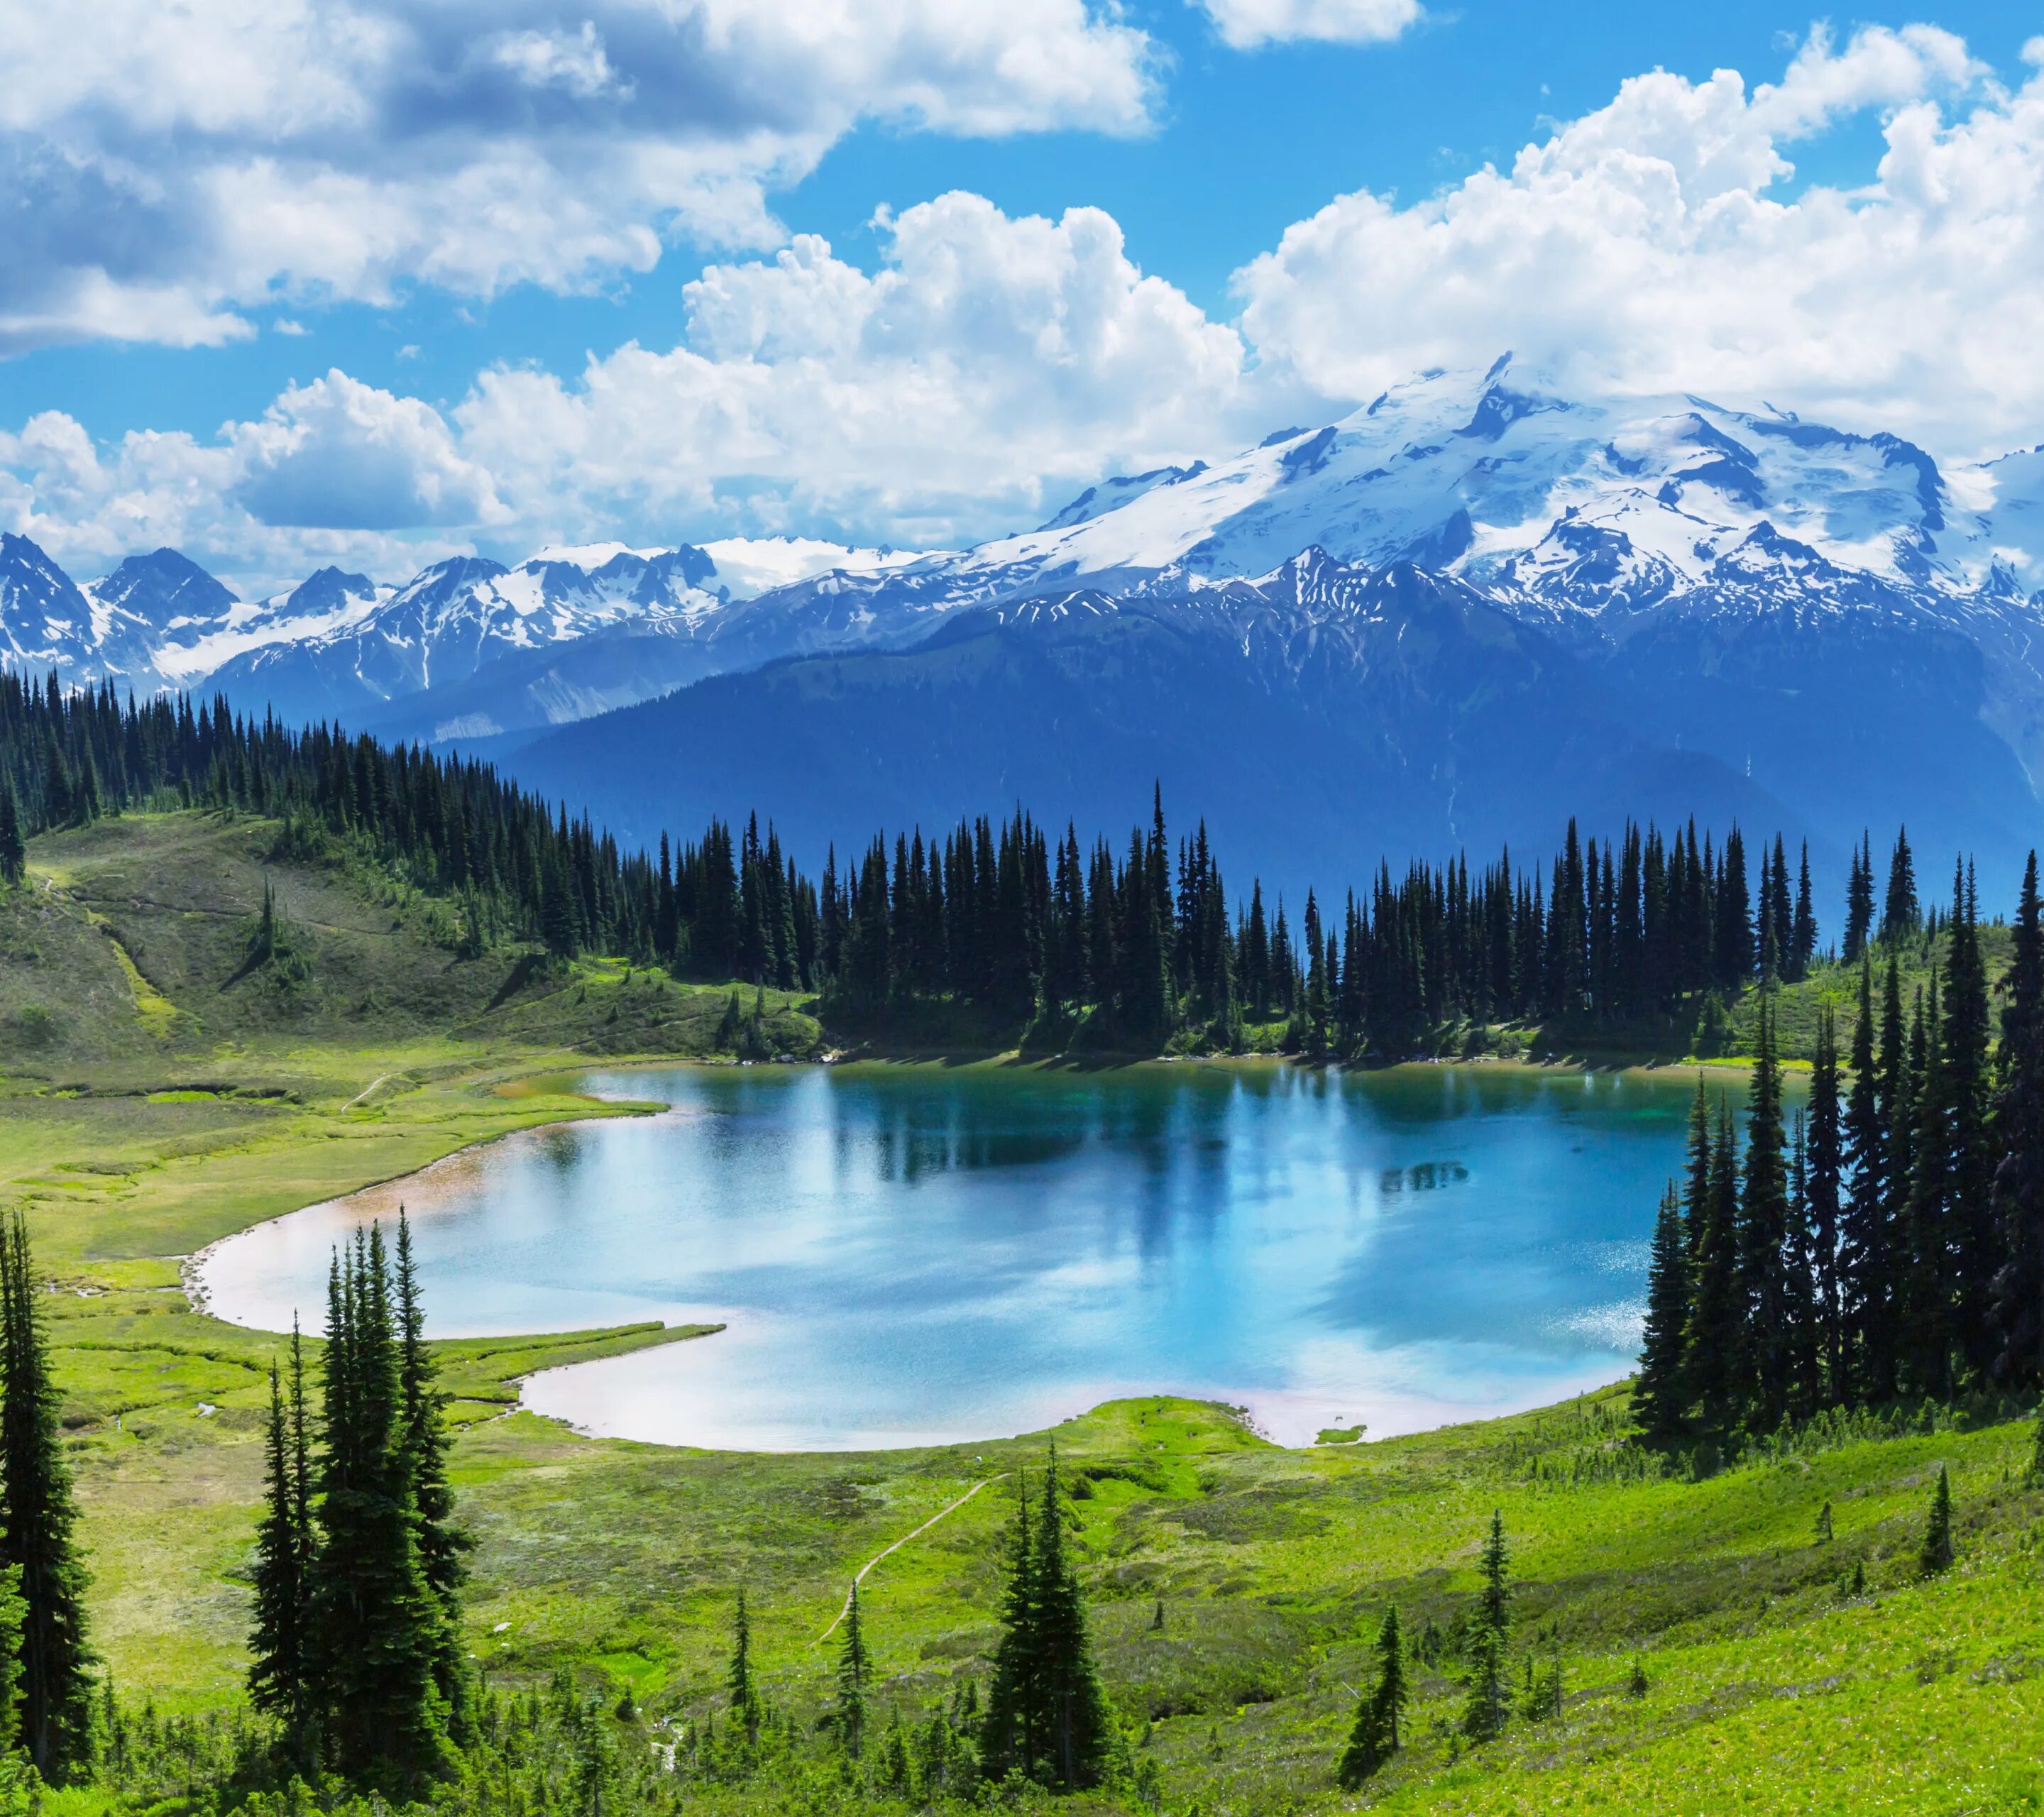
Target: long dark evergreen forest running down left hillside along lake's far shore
1142	945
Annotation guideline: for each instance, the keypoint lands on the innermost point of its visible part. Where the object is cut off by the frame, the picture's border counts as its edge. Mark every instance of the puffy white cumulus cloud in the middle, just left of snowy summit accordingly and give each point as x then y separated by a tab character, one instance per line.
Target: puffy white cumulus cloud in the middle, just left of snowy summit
982	369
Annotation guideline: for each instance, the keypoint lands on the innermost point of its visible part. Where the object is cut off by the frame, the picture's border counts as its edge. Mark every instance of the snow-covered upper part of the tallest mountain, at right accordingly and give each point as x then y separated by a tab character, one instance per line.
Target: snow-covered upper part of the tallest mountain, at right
1475	471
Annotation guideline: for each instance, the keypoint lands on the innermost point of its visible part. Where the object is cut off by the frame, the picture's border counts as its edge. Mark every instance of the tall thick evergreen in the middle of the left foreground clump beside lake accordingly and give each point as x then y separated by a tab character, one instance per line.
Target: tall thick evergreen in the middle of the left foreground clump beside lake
377	1622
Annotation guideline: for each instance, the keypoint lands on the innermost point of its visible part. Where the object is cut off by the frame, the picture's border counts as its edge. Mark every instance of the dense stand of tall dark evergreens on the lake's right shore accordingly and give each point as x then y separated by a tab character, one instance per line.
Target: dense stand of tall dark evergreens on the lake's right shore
1890	1240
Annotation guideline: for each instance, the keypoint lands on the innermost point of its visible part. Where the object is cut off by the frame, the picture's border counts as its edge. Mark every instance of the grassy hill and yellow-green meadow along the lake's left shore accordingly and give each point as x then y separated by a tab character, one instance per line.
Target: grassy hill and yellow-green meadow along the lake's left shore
156	1094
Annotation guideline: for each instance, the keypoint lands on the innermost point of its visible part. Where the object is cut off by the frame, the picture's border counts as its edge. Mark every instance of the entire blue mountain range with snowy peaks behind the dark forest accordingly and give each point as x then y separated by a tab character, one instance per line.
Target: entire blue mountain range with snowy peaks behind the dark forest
1448	618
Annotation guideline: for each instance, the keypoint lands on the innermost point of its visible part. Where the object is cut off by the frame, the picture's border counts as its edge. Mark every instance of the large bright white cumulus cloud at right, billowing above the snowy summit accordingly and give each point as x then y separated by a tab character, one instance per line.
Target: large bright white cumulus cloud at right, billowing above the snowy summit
1661	244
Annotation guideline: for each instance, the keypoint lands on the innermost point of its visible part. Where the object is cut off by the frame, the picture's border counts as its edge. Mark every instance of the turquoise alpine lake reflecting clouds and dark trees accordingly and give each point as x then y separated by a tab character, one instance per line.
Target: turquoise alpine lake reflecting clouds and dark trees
917	1254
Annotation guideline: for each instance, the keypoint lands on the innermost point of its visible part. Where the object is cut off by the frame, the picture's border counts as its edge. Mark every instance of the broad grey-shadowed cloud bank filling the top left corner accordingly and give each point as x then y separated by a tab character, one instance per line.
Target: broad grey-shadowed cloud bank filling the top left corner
173	167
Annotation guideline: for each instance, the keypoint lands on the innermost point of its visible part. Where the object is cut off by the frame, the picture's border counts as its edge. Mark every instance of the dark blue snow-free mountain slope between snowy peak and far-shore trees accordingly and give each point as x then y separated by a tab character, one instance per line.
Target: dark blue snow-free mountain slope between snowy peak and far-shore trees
1413	716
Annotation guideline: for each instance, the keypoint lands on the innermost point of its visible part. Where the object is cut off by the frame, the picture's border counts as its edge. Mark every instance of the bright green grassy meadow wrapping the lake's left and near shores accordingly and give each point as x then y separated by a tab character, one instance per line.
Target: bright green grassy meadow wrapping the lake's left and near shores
1771	1685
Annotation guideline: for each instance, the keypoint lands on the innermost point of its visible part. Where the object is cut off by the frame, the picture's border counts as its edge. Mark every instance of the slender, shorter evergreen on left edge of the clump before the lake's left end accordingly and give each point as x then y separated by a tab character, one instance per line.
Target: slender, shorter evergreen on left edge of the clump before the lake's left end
281	1646
